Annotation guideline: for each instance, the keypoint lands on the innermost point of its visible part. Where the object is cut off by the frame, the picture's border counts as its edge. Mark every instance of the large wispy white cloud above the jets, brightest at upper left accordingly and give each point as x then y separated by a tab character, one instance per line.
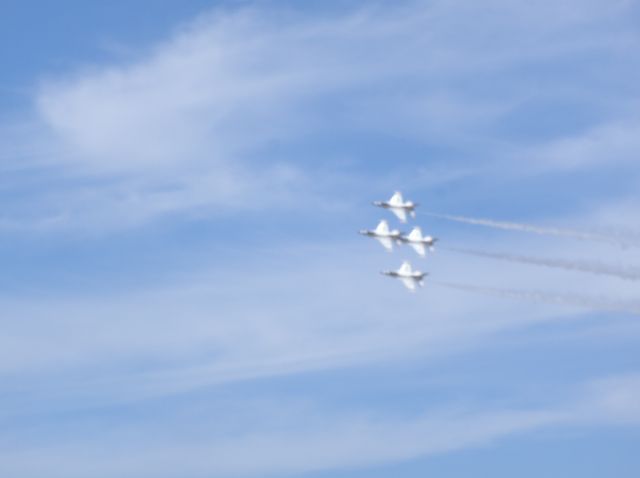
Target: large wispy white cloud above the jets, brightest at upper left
188	124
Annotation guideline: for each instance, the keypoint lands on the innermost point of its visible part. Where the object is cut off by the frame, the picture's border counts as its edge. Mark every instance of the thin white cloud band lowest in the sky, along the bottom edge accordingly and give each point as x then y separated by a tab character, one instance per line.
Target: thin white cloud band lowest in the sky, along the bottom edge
324	442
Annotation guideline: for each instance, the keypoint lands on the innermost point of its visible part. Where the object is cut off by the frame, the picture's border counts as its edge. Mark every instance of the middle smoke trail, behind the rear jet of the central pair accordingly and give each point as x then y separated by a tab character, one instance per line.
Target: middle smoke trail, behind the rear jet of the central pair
627	273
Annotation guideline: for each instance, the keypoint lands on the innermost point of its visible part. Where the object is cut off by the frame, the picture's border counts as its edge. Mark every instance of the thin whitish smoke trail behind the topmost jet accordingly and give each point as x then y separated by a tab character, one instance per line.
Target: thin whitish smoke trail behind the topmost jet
545	231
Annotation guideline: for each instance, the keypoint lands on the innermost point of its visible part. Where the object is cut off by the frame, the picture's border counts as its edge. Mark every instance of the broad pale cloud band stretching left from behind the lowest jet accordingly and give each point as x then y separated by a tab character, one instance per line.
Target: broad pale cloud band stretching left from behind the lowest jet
312	312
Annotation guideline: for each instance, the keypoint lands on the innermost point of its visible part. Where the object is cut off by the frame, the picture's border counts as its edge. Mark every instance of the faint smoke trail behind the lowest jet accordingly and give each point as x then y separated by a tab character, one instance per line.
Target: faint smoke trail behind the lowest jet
592	303
